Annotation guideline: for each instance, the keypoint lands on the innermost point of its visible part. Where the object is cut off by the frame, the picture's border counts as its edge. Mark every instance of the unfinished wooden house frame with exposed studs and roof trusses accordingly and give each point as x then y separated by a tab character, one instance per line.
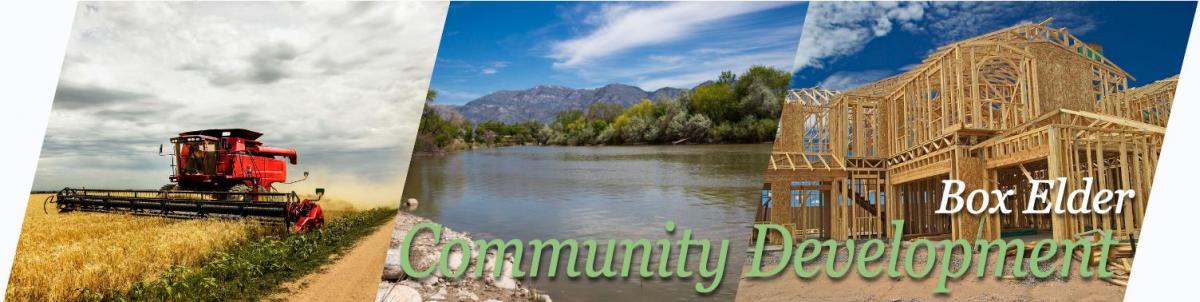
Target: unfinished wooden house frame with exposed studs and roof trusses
1028	102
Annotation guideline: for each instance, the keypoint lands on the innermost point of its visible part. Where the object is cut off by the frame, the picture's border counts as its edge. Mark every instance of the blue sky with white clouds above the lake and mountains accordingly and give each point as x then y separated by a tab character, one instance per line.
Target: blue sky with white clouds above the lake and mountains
511	46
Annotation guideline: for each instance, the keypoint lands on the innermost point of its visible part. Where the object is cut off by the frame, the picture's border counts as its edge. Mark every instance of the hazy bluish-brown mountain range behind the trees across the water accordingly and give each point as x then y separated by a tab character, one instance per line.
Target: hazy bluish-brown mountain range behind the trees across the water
542	104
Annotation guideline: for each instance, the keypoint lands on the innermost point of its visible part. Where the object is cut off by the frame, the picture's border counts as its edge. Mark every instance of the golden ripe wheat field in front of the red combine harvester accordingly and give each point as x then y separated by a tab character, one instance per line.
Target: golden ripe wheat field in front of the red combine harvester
65	257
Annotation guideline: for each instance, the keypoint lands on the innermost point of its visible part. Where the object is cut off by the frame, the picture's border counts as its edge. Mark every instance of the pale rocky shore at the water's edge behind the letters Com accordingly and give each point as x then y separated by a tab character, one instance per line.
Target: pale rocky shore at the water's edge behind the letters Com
397	287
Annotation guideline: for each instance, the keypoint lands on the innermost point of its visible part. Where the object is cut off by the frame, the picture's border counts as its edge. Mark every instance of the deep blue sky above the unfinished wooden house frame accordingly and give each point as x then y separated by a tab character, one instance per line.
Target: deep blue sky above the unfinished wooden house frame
850	44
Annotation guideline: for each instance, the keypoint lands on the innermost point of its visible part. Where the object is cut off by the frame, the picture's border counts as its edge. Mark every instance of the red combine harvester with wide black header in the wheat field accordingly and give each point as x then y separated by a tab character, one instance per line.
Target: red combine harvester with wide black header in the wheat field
218	173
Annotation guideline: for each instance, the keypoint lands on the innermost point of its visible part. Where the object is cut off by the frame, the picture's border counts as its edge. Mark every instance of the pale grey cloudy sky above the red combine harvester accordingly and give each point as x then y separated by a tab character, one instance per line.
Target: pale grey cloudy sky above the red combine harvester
341	83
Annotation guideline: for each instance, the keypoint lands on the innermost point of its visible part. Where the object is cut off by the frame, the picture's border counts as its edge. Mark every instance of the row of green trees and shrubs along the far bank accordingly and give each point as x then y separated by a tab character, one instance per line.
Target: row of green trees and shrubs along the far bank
735	108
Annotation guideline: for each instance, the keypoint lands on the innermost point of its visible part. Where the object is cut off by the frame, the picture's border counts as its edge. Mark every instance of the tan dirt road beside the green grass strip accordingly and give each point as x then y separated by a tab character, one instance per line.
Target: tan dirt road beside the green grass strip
353	277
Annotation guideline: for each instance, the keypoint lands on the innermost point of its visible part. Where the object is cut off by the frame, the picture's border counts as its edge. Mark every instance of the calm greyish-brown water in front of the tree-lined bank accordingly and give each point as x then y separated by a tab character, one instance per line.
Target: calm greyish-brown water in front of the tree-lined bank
599	192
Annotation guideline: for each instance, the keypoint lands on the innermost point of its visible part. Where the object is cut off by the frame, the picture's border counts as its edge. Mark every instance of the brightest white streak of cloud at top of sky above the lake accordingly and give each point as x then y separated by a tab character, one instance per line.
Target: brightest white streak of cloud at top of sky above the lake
622	28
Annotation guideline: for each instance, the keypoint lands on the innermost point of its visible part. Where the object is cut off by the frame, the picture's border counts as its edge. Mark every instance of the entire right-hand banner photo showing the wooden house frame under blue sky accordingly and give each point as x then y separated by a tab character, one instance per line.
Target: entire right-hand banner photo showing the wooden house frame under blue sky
968	152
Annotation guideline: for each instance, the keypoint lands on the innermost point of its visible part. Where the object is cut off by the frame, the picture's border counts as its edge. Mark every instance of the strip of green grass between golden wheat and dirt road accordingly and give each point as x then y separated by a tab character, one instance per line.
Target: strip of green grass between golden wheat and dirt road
256	268
